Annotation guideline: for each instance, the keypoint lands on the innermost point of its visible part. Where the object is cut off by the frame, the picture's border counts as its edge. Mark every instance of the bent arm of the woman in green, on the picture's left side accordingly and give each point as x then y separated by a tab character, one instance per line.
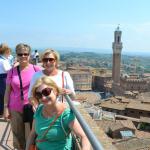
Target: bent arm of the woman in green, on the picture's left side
31	138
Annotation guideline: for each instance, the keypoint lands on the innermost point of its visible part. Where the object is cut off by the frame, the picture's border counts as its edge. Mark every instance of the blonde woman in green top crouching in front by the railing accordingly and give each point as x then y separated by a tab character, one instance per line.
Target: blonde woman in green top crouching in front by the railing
53	121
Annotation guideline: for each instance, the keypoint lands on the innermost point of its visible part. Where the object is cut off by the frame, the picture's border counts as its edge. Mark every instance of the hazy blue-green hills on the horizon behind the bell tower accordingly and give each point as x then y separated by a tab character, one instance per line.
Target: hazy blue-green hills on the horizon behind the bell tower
100	60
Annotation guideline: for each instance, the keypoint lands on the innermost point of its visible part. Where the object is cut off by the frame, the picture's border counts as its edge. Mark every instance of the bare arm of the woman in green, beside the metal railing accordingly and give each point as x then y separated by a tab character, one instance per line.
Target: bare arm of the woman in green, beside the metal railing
75	126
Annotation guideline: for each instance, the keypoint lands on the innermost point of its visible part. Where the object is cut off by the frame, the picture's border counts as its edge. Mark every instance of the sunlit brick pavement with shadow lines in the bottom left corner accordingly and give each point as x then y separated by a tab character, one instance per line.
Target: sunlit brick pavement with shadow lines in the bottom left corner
5	135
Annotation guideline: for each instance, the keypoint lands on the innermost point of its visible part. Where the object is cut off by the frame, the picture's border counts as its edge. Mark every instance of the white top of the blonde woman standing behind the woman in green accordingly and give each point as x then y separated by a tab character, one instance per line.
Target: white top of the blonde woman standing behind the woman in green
68	82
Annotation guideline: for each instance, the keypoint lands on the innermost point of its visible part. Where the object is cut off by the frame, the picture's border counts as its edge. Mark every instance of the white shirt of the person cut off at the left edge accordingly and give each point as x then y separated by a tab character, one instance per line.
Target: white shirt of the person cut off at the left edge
4	65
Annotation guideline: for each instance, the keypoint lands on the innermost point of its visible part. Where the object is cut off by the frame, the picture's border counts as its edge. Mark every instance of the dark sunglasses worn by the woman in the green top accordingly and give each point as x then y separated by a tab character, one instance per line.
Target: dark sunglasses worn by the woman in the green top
44	92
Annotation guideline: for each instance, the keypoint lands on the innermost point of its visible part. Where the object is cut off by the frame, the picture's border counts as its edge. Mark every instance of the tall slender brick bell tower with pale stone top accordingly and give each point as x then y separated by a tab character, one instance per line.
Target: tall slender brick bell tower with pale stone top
117	48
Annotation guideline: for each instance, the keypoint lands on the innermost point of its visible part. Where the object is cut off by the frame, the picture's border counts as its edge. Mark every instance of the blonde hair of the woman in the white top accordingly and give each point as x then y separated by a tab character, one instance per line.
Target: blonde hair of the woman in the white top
51	51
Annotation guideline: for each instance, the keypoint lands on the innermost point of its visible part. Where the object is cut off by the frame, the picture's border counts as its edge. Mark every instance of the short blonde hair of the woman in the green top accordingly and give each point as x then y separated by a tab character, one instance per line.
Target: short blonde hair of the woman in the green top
47	81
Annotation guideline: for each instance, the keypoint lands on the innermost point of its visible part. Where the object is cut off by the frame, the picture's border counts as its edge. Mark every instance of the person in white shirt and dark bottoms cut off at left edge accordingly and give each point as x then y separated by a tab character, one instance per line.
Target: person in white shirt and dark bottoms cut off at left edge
4	68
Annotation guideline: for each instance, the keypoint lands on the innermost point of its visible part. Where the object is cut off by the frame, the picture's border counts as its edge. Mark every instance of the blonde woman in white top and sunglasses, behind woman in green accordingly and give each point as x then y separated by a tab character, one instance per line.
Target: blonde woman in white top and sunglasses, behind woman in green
50	60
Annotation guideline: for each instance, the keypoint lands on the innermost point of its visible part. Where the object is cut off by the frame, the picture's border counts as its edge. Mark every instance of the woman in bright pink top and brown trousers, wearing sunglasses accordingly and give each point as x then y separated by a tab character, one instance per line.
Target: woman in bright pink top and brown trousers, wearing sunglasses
18	79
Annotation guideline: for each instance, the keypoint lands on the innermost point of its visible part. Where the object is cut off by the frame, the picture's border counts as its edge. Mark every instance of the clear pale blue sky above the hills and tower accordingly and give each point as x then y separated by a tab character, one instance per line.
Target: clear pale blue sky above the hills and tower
75	23
